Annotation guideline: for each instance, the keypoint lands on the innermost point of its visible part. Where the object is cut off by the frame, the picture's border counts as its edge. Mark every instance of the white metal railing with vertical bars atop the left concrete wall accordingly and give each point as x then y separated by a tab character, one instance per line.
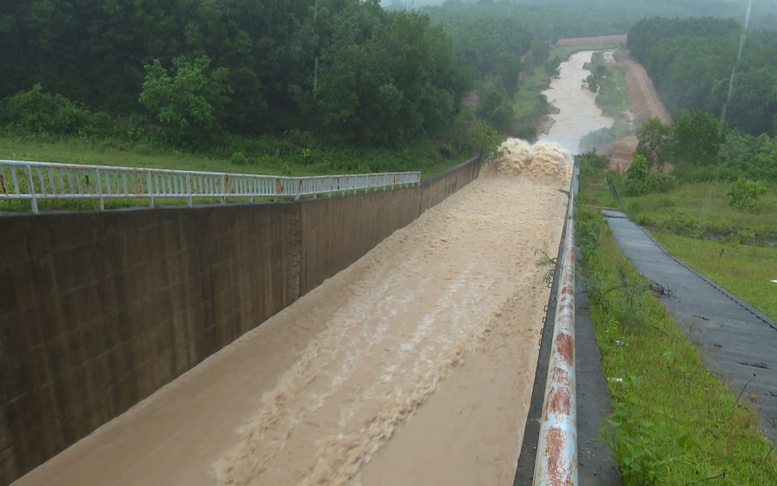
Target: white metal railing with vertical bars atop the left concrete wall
34	181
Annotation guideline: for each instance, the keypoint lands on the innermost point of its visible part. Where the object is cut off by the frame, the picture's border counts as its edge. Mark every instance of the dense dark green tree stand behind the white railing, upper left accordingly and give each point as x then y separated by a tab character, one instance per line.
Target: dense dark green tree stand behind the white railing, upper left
202	68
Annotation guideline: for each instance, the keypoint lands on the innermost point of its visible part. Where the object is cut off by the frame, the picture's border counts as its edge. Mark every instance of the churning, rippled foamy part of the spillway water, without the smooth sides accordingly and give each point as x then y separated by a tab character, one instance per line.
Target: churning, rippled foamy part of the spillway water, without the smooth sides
419	303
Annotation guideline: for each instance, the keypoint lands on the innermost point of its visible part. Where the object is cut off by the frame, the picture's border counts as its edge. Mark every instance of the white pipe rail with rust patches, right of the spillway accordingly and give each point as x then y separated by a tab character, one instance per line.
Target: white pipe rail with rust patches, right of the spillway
557	461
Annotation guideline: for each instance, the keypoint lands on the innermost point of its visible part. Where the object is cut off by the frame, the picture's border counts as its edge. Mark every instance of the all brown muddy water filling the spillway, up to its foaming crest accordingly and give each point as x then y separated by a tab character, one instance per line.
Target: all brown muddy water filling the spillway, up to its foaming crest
413	366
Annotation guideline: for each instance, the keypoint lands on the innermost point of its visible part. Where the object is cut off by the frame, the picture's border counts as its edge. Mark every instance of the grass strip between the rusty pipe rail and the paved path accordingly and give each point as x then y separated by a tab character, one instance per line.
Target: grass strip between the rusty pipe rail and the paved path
675	423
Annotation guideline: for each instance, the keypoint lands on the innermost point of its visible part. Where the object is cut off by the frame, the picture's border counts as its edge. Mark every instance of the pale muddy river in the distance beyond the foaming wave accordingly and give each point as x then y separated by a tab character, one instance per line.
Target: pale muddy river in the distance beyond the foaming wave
578	114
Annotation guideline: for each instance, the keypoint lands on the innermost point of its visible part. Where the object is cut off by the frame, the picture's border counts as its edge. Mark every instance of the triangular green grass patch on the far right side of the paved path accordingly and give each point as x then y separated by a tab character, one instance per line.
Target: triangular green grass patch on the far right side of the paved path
742	269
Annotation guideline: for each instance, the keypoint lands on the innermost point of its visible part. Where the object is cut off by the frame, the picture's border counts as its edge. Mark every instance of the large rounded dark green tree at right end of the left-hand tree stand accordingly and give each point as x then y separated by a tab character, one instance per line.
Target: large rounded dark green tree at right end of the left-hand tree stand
398	84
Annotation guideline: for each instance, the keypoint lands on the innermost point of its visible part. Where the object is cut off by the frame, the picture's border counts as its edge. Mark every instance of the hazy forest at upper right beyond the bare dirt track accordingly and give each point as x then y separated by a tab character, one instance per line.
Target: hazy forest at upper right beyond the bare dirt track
690	62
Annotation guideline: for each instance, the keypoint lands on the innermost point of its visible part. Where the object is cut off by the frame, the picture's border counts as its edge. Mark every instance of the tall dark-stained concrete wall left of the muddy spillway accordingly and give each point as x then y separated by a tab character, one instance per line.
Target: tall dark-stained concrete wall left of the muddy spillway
99	310
